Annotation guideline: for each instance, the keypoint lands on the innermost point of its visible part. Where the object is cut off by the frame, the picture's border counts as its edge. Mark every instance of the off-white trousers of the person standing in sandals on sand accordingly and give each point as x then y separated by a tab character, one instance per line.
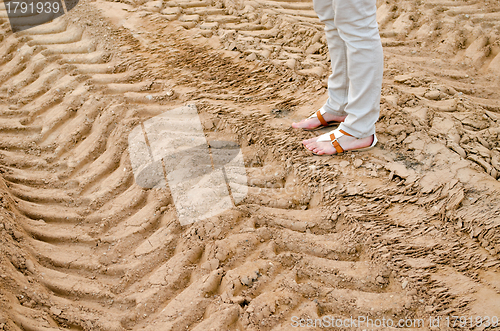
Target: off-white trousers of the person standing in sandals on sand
357	60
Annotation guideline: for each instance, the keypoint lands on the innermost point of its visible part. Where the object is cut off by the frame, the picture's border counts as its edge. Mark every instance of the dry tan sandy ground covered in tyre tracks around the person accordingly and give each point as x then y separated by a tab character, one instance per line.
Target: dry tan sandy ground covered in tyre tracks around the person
410	229
